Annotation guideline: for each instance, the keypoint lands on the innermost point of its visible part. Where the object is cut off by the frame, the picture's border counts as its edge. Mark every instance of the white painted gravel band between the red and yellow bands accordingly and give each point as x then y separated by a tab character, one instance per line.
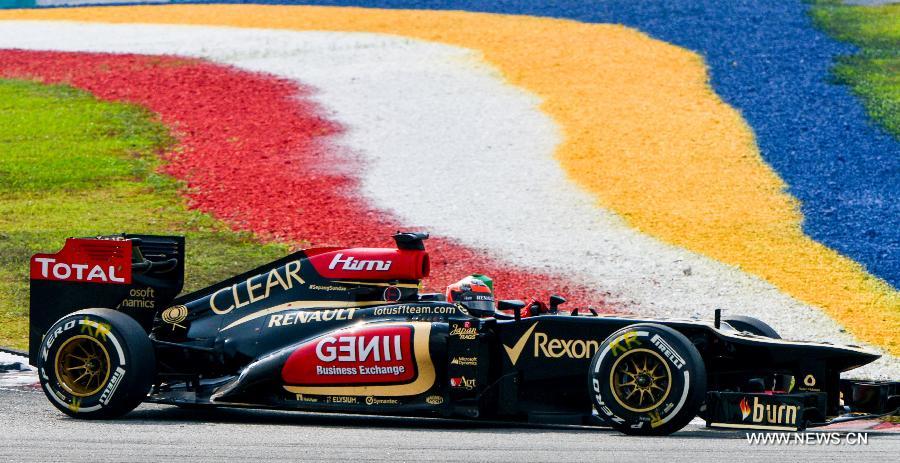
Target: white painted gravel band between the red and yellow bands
448	145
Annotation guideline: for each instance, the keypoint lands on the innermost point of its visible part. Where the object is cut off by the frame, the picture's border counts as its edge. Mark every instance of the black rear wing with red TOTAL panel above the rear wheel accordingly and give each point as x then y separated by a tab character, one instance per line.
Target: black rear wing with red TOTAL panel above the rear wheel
135	274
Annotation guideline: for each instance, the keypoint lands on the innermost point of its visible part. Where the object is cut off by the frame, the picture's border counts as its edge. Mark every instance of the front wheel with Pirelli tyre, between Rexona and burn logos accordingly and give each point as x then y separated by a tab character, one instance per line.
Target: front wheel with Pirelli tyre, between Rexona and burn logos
647	379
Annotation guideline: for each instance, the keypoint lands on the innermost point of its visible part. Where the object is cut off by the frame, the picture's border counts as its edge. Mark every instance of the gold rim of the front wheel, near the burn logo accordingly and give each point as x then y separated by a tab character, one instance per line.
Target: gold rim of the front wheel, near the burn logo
640	380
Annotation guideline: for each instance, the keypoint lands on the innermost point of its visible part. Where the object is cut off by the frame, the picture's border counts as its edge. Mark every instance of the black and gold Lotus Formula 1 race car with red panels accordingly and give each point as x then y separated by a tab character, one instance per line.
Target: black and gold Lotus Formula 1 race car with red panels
348	330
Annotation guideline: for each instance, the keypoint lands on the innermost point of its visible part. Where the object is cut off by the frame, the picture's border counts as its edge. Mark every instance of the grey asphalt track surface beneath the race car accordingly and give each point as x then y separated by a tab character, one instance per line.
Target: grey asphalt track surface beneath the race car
32	430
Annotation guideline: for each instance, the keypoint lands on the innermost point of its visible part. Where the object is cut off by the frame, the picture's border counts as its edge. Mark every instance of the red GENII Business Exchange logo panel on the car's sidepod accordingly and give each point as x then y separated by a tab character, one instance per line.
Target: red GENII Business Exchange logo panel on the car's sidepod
360	356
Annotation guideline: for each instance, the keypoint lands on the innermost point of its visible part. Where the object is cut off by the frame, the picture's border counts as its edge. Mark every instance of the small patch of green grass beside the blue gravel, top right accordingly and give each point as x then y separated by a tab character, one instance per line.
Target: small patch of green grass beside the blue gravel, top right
873	73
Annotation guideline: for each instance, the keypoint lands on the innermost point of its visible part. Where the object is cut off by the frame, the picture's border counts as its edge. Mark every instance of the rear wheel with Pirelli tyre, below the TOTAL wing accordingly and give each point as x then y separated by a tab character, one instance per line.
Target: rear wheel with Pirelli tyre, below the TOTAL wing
96	363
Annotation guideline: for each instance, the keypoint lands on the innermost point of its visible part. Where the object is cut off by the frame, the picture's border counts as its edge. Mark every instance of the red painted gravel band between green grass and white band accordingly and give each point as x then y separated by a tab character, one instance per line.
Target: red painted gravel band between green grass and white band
256	153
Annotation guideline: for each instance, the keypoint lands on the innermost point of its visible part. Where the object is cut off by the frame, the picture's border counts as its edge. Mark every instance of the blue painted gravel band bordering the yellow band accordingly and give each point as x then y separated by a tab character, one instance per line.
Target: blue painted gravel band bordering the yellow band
767	60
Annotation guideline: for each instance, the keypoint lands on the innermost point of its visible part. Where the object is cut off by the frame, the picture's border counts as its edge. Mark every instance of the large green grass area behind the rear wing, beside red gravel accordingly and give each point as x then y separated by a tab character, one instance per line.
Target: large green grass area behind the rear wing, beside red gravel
71	165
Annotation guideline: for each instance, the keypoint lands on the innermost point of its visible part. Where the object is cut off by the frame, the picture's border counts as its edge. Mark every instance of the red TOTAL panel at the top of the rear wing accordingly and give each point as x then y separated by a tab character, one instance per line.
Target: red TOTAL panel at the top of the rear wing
86	260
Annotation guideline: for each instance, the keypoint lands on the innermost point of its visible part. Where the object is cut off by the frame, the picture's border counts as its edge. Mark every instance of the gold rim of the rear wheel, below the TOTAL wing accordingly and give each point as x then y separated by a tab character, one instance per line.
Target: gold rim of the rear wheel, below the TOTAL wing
82	366
